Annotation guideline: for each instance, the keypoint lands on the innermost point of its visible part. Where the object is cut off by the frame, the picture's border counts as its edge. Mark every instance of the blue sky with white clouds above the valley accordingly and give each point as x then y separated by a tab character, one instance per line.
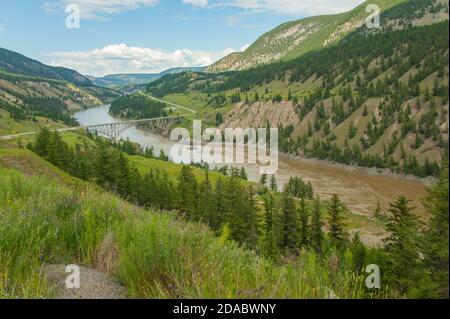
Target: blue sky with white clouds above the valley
145	36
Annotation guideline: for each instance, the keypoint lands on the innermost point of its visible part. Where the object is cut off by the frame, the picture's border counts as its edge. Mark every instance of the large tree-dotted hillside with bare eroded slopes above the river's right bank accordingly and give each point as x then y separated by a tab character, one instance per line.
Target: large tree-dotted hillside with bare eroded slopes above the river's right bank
376	99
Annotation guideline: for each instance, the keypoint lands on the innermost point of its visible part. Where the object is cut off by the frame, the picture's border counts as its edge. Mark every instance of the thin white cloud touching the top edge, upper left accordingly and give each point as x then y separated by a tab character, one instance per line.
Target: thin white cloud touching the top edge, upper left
92	9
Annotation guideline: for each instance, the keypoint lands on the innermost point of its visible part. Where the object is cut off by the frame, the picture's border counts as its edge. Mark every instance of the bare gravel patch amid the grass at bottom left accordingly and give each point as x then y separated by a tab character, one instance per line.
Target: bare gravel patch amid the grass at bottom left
93	284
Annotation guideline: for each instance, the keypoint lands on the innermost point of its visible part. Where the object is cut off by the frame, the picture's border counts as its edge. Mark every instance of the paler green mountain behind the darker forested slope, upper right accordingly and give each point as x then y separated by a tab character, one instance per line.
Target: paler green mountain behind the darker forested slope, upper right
293	39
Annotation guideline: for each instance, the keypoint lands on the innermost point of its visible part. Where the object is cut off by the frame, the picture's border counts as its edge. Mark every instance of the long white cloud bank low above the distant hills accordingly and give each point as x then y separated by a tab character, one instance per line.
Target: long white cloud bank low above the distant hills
120	58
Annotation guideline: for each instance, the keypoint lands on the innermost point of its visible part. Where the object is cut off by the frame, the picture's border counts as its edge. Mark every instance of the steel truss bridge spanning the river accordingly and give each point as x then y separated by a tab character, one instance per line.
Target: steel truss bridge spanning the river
114	130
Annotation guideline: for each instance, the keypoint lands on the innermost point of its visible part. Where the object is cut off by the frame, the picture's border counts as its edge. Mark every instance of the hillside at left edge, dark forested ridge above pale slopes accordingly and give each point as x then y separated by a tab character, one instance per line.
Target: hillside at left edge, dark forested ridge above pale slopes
29	88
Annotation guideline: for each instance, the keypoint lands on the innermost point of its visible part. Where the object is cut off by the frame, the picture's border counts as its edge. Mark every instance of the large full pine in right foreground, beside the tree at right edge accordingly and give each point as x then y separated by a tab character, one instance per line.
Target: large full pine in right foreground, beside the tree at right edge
402	246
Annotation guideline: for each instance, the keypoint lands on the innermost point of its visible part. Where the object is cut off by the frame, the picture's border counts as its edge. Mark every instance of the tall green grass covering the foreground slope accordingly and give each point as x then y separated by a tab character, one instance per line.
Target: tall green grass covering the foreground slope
153	254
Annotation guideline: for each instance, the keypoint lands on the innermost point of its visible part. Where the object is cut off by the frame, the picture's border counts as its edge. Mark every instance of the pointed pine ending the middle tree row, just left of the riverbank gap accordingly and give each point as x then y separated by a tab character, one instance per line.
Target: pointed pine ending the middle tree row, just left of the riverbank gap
337	233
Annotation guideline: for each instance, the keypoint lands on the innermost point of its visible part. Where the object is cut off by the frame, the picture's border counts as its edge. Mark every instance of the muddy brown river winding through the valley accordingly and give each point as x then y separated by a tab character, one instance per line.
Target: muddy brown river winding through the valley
359	189
